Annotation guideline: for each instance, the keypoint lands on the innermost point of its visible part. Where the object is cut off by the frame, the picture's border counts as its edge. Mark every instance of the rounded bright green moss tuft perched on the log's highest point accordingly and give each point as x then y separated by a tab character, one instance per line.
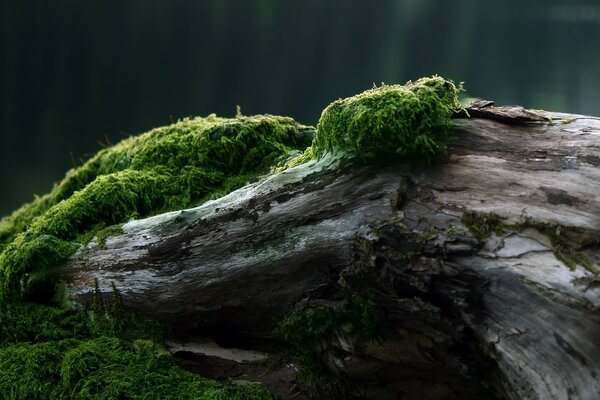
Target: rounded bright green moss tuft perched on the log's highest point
409	122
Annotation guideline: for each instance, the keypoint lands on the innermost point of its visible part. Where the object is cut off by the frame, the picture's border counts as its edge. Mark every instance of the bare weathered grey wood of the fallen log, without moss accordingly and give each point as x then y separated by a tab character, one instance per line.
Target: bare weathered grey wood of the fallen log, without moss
503	310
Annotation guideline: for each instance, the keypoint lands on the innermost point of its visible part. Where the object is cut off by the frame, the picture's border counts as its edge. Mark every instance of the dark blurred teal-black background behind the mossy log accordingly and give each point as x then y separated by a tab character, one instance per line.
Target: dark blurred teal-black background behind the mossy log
75	73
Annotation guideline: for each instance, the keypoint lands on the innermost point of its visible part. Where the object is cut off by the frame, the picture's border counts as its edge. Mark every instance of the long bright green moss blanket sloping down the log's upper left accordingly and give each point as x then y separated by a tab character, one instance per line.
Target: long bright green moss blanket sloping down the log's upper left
166	169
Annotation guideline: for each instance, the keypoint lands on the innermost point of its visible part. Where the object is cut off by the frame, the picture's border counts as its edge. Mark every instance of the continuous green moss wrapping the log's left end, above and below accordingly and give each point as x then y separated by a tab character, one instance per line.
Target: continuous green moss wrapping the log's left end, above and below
55	353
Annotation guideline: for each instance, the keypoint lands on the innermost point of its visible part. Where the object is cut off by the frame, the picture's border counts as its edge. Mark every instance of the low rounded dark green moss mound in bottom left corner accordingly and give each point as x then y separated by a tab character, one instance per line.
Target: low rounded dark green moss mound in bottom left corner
104	368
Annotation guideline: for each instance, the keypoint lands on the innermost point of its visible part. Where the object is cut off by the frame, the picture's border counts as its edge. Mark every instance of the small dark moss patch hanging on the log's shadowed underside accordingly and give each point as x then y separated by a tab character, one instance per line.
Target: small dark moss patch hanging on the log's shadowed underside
309	332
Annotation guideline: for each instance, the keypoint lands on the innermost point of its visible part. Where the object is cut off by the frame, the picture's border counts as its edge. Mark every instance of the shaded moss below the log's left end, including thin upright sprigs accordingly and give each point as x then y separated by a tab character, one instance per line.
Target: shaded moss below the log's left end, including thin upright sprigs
53	353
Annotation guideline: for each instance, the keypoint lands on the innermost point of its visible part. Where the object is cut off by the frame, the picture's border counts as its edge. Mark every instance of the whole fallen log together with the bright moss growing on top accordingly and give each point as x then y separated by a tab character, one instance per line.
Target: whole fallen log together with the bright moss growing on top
373	274
